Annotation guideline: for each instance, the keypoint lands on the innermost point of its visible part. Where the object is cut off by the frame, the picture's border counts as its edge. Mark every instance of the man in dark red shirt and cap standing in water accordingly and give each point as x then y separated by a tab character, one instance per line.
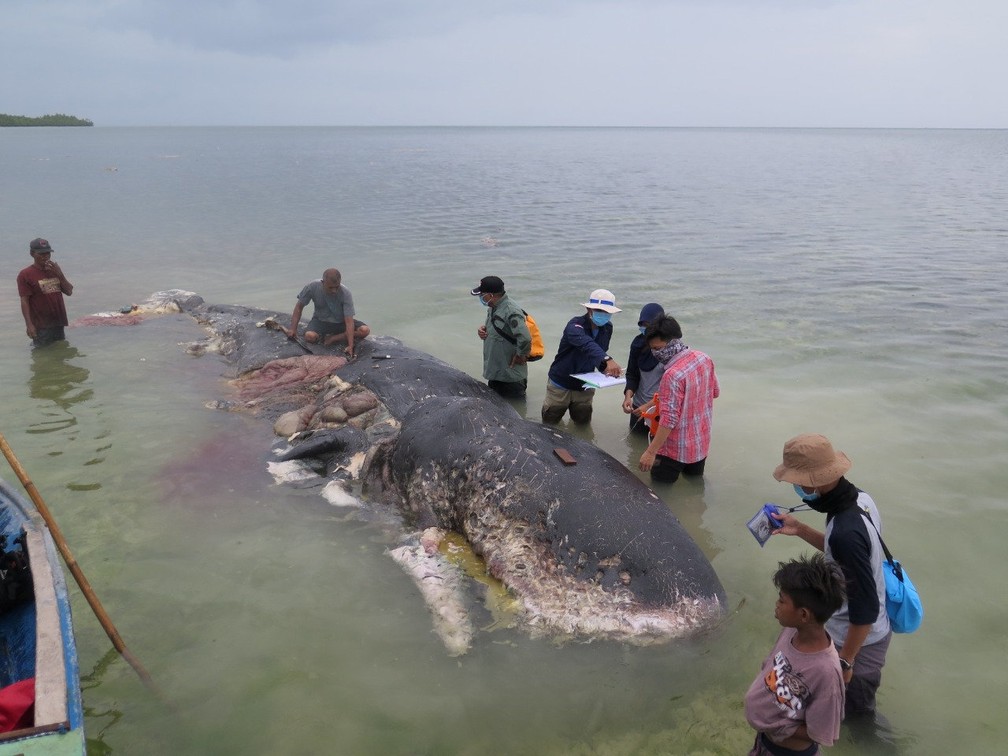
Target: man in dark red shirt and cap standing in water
42	287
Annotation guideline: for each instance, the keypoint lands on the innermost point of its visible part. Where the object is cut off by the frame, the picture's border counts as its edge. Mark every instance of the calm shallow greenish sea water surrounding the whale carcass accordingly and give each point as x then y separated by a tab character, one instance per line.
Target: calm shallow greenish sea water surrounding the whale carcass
850	283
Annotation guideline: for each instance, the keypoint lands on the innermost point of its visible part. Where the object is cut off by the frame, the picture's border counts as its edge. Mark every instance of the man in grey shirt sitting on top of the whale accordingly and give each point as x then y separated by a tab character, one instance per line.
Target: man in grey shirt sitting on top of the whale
333	320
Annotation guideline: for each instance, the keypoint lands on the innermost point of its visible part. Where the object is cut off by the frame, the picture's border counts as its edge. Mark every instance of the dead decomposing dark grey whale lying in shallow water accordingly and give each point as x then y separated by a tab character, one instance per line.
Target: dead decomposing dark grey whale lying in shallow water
587	551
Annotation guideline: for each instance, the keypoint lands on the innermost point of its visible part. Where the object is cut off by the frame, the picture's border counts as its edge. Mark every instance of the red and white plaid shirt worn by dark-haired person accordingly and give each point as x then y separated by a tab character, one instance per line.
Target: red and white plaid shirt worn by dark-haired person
686	401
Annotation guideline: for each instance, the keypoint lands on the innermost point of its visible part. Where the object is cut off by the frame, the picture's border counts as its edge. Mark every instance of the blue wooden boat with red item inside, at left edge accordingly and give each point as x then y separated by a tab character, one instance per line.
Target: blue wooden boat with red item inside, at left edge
37	640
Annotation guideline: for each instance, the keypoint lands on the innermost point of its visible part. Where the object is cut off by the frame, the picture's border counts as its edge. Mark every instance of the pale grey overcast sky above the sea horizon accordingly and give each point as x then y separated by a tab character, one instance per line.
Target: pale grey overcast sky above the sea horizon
581	63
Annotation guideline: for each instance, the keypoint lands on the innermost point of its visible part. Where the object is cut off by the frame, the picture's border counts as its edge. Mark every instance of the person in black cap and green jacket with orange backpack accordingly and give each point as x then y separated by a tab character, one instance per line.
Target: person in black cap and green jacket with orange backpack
507	340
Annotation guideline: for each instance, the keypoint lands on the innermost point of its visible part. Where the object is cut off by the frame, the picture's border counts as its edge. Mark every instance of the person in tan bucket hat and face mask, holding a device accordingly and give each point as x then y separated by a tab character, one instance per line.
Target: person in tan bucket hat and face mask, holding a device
860	629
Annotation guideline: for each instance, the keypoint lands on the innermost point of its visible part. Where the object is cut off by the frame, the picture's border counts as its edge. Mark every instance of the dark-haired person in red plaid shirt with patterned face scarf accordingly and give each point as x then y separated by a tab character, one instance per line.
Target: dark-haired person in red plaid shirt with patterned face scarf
686	406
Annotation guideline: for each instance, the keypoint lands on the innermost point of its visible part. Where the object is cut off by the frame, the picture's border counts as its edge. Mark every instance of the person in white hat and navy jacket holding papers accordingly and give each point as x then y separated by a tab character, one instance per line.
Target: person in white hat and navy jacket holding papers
584	347
